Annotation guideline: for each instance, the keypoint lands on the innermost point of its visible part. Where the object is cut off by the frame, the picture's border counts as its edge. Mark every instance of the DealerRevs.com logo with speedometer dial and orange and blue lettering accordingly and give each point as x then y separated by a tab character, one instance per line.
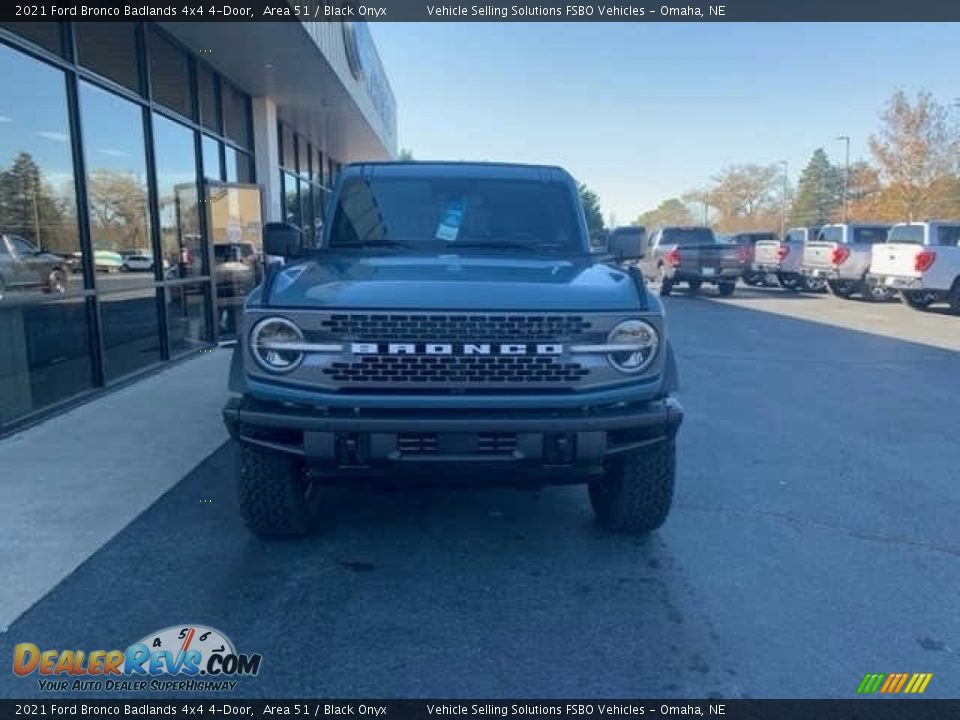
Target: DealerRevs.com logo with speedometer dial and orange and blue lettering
178	658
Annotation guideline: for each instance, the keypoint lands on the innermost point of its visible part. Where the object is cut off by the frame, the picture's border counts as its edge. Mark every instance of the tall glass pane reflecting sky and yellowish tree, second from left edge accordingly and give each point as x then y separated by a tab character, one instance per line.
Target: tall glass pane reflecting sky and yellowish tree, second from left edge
115	159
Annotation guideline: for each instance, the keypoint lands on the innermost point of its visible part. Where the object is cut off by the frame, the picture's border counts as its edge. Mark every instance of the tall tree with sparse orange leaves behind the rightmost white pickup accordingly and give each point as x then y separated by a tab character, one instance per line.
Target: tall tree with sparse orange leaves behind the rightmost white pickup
914	150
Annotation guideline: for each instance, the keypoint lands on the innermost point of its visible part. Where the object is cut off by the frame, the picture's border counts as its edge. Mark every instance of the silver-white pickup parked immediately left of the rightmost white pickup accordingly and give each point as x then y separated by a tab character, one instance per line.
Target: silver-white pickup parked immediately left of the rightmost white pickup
841	256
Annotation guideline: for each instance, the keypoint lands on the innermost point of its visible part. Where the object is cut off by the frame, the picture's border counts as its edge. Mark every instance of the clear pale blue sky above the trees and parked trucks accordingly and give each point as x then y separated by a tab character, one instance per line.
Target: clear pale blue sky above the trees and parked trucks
643	112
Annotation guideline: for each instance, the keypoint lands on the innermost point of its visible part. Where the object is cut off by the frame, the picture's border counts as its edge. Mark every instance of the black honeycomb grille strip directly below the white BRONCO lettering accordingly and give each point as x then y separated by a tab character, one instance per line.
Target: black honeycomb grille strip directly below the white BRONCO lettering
456	369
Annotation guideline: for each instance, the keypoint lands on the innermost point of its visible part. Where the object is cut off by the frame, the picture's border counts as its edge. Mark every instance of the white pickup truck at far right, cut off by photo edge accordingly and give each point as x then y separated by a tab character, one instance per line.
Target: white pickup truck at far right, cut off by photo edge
922	261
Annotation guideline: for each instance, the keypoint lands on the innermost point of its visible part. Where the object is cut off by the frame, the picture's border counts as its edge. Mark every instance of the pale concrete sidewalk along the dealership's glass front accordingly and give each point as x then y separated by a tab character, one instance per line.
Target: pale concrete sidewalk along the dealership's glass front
73	482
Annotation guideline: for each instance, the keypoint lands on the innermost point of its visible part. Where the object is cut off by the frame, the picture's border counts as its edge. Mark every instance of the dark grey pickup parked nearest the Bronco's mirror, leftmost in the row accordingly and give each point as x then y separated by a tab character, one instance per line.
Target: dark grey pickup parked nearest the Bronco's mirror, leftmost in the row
693	256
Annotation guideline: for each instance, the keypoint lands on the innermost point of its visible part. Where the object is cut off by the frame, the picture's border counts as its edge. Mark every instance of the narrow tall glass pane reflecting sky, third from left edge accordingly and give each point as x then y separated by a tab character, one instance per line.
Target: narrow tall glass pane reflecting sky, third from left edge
180	241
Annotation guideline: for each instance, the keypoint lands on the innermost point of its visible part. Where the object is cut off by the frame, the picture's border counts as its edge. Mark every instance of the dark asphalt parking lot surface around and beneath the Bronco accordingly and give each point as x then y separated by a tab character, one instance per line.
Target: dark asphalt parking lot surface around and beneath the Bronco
813	540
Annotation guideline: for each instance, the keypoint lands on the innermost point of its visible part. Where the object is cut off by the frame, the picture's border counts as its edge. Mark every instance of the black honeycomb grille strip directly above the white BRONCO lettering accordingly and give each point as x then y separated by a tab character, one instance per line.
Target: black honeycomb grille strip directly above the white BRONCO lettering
455	328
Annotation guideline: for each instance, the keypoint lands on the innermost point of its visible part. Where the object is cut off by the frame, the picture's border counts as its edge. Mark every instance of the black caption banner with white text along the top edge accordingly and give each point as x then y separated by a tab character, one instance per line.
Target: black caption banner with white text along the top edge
490	10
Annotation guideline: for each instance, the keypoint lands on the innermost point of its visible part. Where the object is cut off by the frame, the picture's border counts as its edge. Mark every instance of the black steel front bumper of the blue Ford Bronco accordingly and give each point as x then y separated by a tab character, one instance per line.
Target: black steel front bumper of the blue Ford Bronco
366	441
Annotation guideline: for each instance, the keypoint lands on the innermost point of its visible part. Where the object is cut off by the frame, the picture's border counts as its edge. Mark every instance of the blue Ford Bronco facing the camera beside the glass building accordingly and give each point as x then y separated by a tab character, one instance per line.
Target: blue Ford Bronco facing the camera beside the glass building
453	325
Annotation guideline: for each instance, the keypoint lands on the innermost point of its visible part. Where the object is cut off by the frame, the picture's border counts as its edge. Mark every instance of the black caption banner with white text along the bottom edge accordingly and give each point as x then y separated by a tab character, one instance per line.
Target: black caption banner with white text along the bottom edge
913	709
